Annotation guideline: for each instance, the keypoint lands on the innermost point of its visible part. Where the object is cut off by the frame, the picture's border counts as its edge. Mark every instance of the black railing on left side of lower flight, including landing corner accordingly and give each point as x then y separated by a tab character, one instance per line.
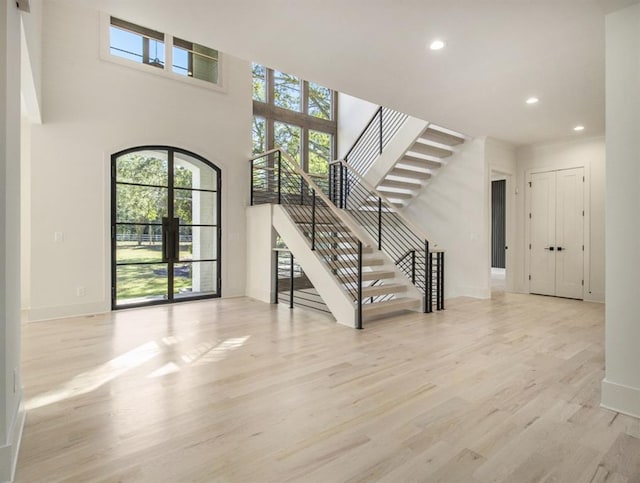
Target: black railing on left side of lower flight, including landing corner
277	178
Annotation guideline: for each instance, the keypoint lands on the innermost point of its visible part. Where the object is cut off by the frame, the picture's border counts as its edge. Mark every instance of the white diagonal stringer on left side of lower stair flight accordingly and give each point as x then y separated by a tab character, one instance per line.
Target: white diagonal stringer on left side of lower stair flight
335	297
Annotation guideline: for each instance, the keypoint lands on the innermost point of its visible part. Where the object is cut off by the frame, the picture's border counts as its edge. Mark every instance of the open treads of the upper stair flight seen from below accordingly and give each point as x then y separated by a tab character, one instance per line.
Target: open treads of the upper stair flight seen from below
418	164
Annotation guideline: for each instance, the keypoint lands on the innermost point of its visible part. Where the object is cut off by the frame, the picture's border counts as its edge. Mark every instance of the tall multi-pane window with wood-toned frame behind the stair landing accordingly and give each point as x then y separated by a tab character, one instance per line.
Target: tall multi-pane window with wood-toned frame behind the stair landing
296	115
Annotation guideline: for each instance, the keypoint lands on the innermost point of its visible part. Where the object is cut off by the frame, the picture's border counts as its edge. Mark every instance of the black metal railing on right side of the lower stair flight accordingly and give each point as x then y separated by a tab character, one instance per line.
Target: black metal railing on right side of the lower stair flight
395	235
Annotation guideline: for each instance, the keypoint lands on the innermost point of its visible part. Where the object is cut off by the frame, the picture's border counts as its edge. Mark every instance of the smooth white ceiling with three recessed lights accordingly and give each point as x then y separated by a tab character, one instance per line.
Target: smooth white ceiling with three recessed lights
499	52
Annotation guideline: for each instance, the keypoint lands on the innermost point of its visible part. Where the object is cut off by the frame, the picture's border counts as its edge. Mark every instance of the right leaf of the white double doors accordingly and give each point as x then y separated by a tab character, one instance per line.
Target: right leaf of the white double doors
569	233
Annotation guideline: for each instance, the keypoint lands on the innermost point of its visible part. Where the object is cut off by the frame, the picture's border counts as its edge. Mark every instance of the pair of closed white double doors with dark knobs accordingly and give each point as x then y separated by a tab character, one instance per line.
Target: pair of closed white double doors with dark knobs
556	233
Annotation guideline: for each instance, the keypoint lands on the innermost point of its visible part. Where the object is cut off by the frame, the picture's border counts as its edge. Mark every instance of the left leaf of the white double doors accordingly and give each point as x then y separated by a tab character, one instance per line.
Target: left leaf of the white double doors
543	233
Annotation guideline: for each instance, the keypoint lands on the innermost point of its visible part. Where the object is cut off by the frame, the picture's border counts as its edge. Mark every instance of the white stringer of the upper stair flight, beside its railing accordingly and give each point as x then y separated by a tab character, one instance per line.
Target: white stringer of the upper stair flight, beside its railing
395	149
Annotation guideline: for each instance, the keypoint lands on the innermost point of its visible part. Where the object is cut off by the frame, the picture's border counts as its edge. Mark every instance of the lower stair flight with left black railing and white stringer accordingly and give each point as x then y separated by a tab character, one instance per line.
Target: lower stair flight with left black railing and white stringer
356	280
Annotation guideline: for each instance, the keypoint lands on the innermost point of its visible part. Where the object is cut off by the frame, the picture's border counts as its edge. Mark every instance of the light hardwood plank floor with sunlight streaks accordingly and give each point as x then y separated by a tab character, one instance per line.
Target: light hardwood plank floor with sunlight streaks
502	390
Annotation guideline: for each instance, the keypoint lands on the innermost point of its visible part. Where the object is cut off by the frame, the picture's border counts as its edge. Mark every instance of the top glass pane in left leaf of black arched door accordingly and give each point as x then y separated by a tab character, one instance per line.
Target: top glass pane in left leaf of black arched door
143	167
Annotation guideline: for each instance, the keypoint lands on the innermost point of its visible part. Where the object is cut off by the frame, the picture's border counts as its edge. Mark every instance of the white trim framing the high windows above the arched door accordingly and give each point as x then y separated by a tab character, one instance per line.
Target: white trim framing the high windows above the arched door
167	73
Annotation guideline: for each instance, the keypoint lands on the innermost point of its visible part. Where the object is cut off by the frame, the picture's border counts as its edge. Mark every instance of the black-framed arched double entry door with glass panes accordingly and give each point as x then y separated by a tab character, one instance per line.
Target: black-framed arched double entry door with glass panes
165	226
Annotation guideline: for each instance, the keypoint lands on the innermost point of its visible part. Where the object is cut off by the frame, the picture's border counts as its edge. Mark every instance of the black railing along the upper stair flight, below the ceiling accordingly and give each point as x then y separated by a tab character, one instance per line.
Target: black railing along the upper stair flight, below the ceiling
371	142
